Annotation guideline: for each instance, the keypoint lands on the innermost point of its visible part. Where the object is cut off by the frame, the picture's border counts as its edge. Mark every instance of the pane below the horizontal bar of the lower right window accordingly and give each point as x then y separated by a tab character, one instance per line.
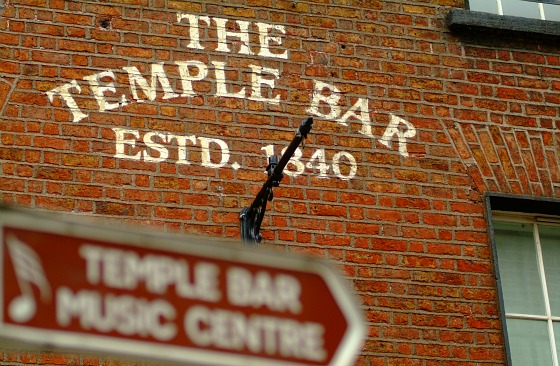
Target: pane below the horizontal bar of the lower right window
528	342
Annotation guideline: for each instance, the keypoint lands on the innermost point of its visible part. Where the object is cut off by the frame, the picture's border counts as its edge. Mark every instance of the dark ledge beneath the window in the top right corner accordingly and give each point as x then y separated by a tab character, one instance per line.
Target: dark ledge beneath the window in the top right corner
460	20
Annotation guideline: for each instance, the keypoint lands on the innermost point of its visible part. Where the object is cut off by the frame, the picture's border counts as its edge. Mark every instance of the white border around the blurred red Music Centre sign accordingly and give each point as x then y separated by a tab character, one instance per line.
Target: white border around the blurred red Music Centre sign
346	353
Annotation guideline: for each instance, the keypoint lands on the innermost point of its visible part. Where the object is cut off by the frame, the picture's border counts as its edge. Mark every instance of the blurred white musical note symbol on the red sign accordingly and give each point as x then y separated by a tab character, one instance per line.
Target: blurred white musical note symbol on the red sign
28	270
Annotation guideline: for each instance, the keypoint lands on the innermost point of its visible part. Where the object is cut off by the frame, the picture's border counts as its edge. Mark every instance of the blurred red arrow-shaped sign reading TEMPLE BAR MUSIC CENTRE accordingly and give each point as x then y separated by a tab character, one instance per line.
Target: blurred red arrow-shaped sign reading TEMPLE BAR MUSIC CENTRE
104	290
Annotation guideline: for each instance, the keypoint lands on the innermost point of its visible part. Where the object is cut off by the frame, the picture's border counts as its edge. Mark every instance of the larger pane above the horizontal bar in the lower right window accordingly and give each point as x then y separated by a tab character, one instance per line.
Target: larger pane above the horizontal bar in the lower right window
517	261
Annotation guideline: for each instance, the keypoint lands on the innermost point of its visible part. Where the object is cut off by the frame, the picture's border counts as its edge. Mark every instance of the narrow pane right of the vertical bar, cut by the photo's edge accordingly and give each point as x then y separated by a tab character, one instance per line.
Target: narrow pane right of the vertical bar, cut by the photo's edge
550	244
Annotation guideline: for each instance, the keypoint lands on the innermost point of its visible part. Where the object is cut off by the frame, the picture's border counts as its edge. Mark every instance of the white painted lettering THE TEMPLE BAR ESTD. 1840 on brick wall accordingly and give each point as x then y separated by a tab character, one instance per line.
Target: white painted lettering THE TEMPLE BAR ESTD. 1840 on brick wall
232	36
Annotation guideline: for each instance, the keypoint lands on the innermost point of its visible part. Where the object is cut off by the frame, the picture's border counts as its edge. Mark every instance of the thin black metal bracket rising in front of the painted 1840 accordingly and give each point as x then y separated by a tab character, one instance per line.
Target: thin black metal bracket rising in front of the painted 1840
251	217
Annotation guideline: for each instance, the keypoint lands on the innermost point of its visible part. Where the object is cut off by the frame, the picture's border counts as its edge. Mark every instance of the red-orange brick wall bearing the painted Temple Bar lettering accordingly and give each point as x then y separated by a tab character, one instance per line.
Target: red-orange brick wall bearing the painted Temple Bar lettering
432	120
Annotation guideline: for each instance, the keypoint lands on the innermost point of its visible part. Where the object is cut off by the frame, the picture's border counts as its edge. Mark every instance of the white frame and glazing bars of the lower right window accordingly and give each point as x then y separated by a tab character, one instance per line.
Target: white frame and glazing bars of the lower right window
509	217
